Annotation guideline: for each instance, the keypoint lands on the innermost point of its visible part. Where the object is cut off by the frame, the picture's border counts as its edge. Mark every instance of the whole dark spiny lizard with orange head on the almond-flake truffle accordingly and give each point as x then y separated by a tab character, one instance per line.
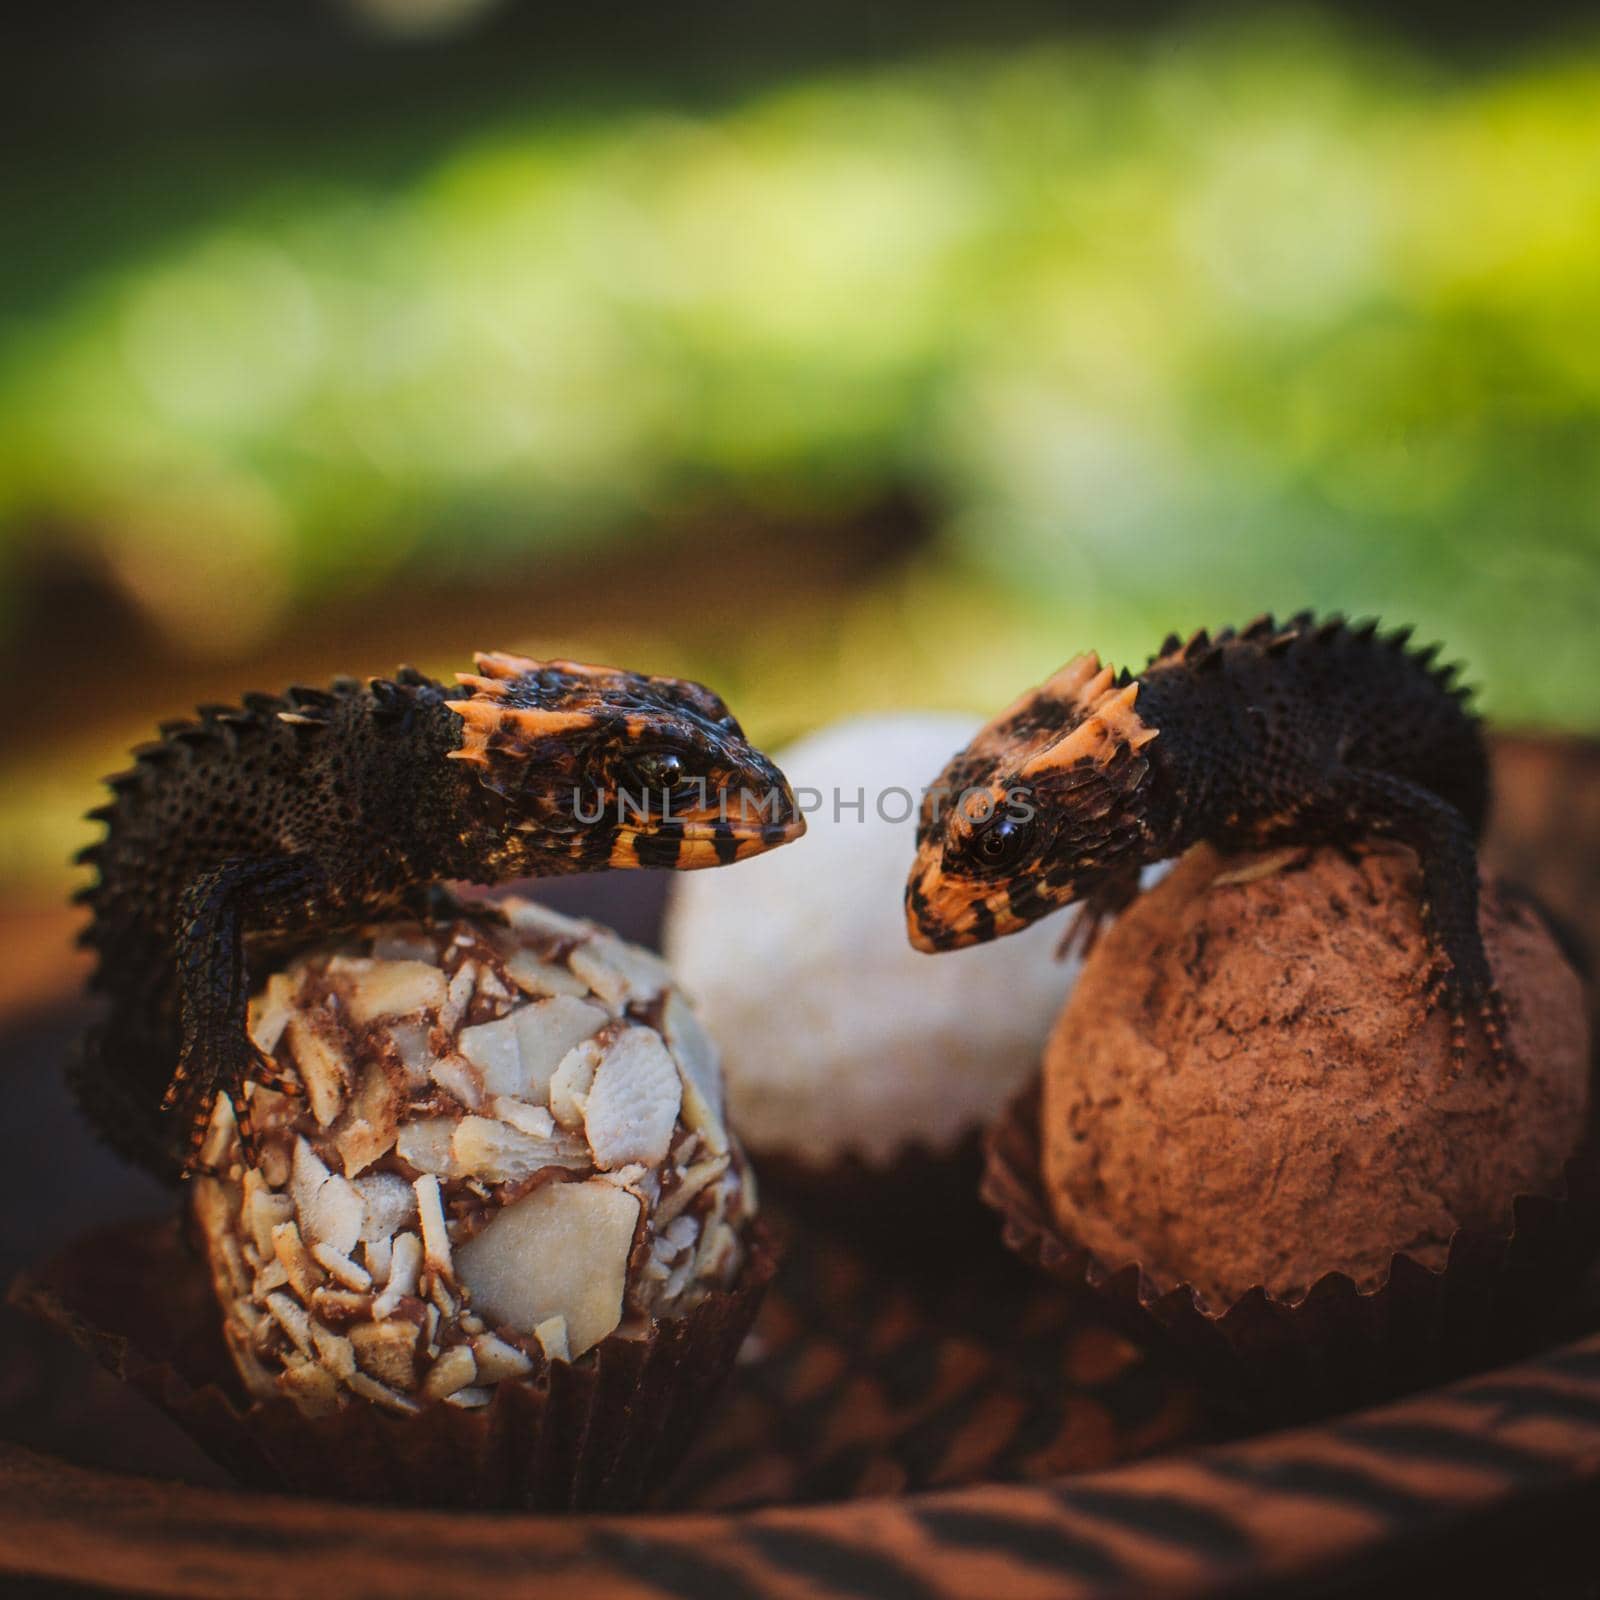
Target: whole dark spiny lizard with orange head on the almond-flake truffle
255	830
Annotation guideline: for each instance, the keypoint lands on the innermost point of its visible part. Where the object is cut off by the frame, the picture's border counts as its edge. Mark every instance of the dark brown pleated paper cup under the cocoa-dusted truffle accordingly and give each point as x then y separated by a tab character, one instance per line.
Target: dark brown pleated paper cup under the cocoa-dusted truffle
1338	1346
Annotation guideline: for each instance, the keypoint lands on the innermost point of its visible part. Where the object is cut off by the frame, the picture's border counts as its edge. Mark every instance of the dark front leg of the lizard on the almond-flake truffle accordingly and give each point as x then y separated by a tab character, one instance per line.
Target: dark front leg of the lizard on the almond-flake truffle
217	1054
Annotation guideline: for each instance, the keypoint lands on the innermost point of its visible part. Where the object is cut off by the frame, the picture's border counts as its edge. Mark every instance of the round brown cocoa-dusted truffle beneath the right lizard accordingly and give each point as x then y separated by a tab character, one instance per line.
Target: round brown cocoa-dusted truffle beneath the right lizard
1244	1092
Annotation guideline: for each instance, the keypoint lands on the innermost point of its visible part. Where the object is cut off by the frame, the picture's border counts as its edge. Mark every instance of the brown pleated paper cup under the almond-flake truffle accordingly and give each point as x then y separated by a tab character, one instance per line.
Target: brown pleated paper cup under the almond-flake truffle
598	1434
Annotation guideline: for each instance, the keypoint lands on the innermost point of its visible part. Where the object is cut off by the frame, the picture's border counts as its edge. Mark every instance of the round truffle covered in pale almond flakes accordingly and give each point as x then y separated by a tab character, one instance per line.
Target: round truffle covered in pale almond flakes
508	1143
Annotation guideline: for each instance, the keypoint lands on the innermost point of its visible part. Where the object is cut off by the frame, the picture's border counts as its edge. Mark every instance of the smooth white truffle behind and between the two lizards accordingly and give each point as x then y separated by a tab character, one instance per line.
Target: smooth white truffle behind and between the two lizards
839	1039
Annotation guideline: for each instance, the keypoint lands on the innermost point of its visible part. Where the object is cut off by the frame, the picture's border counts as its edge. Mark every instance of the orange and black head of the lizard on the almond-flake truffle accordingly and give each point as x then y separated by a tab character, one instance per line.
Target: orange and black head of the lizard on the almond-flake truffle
596	767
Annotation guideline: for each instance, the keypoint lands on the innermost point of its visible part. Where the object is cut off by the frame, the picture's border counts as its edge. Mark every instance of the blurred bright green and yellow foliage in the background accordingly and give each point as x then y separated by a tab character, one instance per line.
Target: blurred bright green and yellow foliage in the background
1167	330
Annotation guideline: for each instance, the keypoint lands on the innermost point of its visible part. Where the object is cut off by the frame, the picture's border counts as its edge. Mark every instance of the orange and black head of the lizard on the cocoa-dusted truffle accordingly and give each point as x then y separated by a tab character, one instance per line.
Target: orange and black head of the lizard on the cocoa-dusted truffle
1041	807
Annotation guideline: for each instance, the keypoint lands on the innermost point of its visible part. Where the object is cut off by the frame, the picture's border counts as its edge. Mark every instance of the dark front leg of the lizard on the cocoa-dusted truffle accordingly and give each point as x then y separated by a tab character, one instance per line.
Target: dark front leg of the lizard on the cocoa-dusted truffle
1378	804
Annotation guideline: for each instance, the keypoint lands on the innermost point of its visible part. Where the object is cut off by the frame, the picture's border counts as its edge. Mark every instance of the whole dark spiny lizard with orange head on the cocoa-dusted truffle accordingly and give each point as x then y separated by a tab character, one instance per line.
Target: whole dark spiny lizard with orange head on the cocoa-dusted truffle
1302	734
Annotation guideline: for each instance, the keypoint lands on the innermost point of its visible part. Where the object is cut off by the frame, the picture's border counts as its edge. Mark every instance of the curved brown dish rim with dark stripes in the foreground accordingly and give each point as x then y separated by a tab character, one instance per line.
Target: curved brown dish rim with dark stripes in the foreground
1518	1452
